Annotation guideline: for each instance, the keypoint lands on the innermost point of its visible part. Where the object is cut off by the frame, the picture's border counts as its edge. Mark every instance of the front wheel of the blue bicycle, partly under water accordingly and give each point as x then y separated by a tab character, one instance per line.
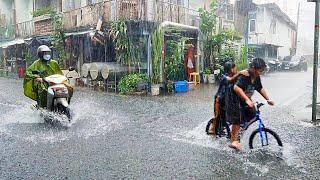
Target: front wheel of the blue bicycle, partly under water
267	137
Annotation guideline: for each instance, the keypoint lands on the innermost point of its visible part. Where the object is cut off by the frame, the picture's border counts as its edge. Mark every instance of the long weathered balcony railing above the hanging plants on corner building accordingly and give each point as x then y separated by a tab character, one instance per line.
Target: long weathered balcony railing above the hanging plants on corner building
113	10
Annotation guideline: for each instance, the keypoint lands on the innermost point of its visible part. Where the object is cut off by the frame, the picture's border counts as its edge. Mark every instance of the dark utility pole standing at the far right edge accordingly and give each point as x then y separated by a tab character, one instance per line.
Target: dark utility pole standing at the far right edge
315	62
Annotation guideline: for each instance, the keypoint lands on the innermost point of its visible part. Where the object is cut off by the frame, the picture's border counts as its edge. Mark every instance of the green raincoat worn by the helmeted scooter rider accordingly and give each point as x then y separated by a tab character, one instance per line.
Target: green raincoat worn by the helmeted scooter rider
36	90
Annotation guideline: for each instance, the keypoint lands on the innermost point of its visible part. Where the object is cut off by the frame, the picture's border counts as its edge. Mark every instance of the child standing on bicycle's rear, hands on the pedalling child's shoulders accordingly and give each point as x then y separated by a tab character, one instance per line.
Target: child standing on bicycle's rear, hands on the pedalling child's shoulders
219	101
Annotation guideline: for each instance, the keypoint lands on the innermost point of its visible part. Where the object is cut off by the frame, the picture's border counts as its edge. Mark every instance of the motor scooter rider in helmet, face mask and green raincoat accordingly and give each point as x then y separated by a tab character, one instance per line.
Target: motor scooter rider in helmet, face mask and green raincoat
33	84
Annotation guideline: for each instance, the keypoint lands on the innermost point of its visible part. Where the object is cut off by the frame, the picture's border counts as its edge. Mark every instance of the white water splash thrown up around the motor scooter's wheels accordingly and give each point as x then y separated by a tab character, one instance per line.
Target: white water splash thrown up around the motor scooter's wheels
24	122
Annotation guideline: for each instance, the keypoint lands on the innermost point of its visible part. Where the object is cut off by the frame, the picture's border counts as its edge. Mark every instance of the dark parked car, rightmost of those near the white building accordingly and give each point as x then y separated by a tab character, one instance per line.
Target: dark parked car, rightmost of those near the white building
297	63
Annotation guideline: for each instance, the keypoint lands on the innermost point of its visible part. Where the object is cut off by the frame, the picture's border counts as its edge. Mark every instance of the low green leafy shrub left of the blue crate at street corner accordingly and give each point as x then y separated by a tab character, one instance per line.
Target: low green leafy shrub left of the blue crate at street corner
129	83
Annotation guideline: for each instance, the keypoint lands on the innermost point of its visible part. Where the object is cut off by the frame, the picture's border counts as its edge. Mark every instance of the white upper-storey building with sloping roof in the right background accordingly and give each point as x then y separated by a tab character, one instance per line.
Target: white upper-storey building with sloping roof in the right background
271	32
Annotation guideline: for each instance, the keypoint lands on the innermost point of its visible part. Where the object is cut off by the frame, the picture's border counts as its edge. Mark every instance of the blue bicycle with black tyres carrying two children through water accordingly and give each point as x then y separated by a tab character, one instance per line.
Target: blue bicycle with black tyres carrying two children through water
262	136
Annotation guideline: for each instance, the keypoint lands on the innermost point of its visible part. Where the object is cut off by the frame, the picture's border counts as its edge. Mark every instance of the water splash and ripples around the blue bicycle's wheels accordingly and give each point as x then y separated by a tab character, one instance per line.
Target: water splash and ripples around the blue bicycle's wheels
260	159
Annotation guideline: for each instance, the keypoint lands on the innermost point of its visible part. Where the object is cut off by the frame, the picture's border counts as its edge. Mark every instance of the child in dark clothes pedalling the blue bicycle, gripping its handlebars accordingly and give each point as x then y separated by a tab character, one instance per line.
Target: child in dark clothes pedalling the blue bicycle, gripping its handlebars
242	108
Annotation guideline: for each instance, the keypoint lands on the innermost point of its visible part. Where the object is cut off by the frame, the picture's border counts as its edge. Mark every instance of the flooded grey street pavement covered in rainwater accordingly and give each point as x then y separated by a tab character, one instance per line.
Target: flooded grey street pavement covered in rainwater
130	137
